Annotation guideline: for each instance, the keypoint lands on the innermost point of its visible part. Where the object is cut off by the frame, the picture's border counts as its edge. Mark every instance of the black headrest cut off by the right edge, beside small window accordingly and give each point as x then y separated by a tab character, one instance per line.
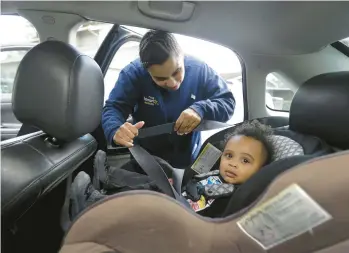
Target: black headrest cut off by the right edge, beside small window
321	108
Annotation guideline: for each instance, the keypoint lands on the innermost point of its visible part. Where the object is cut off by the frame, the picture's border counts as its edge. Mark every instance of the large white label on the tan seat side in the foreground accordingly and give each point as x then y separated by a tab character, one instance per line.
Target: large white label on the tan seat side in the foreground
287	215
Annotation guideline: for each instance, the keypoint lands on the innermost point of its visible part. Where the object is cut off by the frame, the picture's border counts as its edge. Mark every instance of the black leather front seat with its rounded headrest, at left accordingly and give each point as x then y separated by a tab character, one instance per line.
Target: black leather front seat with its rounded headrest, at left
60	92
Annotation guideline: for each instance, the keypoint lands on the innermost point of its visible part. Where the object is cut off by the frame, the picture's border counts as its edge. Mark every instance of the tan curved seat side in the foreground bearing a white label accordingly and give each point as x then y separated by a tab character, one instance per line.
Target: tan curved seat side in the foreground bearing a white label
295	214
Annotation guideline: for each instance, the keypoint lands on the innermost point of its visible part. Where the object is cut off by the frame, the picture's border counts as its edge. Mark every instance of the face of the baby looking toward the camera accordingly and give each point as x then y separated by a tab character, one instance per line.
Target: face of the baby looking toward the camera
242	157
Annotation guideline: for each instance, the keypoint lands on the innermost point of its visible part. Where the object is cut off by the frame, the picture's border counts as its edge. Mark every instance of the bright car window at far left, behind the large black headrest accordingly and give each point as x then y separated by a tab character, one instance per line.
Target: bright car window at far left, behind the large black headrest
18	37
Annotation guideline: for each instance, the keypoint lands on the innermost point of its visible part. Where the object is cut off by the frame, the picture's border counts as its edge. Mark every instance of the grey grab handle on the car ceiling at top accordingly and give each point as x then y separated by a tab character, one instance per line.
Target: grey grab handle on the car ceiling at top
185	14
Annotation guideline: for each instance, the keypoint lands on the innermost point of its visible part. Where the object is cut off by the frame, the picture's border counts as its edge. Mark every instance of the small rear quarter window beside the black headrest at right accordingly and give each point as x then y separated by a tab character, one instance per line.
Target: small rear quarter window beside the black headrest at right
279	93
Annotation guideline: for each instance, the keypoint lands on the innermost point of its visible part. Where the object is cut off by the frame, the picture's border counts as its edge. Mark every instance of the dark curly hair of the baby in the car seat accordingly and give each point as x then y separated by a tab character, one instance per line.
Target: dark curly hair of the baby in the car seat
257	131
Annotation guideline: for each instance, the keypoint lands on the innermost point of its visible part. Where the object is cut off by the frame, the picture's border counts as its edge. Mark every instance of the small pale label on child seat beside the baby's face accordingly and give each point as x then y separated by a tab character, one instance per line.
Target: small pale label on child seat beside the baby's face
207	158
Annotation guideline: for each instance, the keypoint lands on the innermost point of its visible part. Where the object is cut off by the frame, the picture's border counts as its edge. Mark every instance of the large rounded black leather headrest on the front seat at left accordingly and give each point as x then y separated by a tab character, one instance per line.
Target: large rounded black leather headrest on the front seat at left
59	91
